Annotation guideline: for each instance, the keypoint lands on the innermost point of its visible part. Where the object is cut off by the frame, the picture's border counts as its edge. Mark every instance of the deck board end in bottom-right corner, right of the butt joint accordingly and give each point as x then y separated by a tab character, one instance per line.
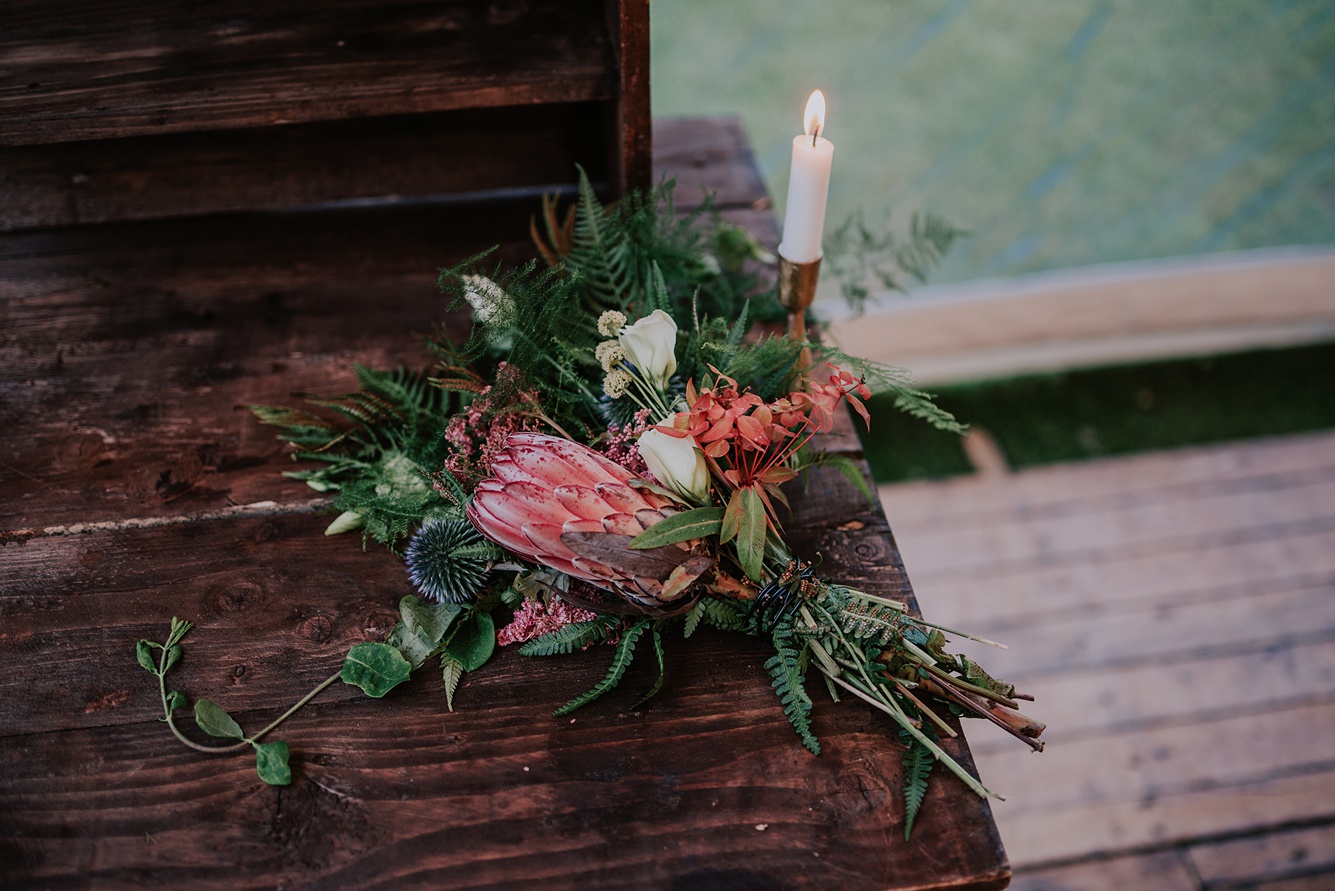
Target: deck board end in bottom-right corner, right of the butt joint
1266	858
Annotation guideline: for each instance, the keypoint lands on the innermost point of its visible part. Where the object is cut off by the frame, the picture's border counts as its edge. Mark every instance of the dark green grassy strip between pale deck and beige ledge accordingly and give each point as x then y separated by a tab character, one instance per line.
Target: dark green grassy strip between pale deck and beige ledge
1115	411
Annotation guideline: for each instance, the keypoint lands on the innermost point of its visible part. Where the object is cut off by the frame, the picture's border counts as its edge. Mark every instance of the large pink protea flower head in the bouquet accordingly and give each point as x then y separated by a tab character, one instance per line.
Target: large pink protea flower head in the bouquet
567	507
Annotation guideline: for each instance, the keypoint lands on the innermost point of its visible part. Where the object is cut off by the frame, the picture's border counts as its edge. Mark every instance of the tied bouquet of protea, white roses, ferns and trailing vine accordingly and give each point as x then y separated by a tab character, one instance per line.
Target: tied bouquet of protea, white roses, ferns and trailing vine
603	463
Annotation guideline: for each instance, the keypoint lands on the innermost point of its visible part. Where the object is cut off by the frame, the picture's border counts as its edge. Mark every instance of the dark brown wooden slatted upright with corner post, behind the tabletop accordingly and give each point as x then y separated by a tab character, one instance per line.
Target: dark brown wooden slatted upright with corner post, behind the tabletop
157	109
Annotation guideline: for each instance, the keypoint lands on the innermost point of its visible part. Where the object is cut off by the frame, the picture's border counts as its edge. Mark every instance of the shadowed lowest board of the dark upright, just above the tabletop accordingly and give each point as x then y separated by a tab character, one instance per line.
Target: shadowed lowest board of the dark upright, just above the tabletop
386	160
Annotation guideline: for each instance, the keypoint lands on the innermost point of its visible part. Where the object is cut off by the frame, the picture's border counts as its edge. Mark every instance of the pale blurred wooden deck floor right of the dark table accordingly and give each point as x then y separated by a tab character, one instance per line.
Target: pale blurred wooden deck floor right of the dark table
1175	616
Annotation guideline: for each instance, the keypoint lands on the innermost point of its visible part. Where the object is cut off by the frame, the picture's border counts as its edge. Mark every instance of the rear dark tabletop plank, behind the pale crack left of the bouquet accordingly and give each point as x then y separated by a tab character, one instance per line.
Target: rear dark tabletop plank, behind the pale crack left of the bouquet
233	311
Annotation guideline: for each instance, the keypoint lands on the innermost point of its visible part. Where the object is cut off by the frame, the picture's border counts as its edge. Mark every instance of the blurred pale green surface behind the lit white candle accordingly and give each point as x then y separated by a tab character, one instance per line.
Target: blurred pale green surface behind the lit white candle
1059	133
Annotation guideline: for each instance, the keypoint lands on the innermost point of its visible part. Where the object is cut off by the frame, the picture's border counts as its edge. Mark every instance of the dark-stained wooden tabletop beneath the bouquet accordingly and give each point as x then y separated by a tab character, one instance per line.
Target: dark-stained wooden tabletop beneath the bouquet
131	490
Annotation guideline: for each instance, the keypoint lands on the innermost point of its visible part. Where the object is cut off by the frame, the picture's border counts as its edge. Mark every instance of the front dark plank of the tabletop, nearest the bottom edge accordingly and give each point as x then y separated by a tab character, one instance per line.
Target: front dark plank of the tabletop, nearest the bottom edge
704	789
